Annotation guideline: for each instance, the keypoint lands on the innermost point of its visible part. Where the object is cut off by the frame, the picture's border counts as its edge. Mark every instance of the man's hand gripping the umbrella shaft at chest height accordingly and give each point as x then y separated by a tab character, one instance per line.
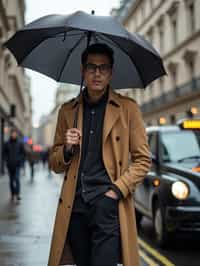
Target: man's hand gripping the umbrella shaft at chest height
72	137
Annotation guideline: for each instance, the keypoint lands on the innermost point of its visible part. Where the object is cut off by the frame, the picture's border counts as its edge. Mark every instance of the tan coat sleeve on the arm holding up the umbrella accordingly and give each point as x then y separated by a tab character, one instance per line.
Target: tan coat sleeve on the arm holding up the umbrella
56	158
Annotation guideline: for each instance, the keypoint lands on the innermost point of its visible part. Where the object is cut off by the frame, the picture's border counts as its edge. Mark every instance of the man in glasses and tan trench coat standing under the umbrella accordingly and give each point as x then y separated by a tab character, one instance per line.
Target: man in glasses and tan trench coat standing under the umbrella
95	220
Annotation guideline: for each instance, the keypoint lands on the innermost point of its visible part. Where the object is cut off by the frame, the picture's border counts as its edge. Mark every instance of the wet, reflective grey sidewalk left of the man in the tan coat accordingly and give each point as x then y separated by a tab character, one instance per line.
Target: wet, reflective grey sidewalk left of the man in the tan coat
26	228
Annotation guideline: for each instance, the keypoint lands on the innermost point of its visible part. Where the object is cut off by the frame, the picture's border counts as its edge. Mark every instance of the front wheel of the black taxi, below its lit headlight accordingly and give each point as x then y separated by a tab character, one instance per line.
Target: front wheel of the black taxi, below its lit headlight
161	235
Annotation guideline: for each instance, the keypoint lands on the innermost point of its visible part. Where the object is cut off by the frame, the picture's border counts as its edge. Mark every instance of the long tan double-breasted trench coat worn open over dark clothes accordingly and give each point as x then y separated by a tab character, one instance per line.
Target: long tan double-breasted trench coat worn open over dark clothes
124	137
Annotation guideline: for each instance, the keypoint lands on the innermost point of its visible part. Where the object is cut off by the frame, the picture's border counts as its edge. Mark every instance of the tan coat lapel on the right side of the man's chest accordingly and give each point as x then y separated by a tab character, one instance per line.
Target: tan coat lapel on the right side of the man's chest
112	113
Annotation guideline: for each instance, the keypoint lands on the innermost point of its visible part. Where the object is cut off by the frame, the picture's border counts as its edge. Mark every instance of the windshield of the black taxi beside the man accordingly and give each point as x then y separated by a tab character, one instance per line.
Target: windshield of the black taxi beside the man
180	146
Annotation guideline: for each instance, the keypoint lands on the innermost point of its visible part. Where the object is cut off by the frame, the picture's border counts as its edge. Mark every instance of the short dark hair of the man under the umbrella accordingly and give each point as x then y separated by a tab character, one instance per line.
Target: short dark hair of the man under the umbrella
98	48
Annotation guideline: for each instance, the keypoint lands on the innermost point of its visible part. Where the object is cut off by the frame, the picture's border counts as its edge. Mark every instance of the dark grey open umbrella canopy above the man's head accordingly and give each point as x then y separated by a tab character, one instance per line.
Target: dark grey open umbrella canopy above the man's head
52	45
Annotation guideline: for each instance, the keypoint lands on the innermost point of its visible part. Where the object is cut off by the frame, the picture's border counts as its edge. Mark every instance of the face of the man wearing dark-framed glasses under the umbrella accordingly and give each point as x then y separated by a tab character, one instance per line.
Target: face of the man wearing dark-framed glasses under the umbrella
97	72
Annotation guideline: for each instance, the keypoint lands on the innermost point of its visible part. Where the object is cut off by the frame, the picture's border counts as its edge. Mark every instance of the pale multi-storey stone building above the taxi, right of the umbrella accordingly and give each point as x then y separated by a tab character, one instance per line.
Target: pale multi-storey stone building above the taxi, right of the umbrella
173	28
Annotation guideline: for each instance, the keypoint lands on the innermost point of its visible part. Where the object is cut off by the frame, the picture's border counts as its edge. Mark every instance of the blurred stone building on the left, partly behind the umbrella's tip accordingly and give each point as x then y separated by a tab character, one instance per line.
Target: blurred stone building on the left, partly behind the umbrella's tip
15	99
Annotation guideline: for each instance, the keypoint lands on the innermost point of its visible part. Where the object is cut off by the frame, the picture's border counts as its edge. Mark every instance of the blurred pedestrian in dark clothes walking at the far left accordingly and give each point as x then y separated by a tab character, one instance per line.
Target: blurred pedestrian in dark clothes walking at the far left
13	156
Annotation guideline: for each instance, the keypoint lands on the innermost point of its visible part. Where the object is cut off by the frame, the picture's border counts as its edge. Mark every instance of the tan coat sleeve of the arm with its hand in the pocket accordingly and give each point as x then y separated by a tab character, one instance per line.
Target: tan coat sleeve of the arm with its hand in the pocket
139	151
